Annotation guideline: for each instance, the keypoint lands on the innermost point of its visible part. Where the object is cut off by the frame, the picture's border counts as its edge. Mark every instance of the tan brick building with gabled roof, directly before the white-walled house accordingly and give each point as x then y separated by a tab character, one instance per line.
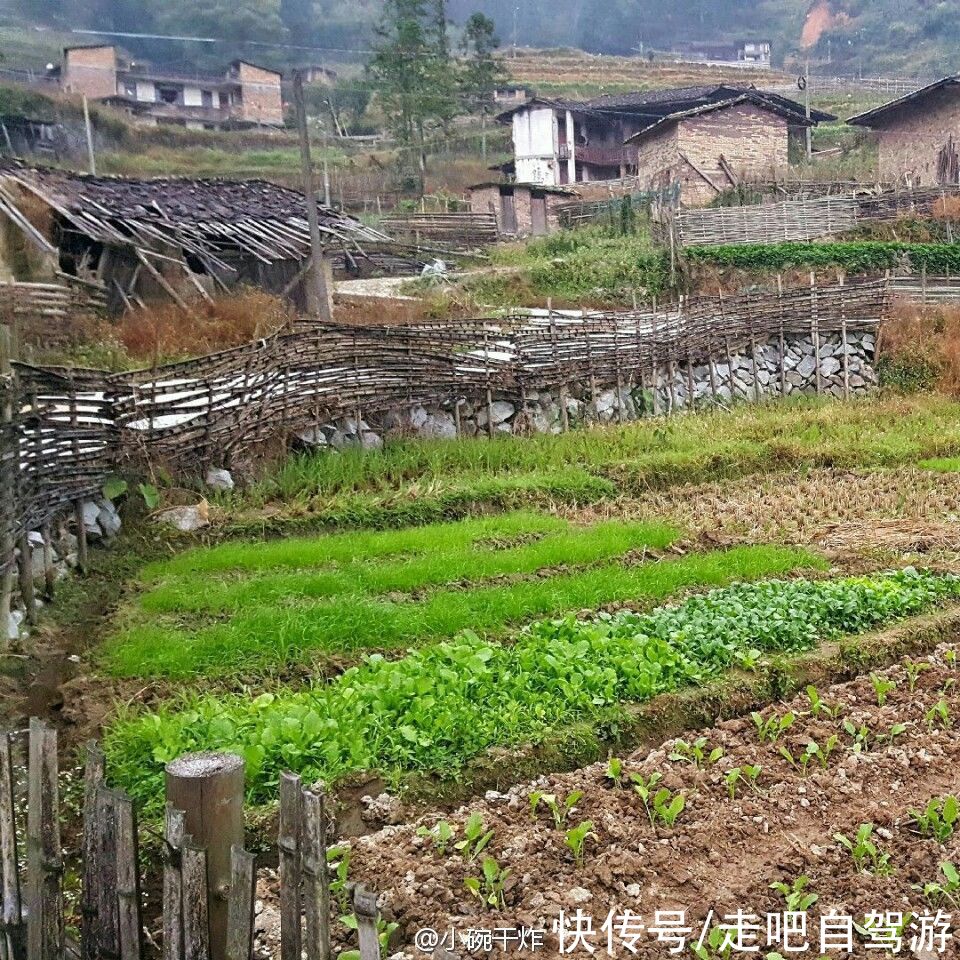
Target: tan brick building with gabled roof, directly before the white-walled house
710	148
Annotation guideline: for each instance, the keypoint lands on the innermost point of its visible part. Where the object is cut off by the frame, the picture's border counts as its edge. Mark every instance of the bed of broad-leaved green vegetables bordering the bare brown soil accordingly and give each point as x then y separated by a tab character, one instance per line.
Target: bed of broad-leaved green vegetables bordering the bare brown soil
437	707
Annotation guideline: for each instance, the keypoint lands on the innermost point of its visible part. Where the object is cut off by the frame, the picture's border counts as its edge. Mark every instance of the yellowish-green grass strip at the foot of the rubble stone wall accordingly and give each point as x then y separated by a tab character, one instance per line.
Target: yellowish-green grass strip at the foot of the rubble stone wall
416	481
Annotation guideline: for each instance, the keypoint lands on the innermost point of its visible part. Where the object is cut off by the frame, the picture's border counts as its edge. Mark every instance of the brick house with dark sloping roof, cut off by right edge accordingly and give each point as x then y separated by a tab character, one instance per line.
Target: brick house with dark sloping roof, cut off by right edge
919	135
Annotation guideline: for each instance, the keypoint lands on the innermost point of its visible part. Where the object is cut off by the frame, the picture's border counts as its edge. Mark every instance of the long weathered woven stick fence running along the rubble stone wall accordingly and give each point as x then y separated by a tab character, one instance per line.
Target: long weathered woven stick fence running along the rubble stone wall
66	430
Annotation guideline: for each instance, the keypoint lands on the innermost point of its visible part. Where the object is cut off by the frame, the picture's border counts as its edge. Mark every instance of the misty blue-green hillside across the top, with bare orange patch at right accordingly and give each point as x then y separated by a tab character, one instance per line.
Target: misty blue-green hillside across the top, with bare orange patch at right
880	36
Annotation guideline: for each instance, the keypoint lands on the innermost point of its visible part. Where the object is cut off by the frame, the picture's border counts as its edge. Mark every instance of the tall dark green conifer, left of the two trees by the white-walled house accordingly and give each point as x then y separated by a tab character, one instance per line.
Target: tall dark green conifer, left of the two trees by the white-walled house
411	72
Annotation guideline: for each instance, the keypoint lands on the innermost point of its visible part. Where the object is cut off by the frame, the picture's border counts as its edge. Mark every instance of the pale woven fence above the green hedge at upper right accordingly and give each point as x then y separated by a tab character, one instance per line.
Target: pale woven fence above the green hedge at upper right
803	219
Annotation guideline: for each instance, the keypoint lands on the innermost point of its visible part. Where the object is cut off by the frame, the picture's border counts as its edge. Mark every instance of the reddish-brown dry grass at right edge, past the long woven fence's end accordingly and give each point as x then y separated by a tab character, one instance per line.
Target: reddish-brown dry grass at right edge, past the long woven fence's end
920	345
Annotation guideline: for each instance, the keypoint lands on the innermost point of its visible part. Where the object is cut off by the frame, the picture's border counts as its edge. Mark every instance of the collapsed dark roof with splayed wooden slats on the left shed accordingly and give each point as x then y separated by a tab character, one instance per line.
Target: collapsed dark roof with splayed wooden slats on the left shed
206	217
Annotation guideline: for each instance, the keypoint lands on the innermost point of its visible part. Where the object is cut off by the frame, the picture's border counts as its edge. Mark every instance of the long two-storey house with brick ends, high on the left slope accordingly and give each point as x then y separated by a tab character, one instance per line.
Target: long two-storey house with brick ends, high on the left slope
244	95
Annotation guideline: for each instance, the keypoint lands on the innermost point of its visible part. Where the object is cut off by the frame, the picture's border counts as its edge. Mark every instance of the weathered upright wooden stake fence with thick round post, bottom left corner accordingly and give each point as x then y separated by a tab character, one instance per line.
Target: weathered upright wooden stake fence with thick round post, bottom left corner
208	883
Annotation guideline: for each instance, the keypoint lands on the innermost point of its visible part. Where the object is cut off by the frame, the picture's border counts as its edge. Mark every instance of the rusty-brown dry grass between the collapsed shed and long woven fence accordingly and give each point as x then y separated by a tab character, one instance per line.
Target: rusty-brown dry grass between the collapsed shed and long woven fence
164	332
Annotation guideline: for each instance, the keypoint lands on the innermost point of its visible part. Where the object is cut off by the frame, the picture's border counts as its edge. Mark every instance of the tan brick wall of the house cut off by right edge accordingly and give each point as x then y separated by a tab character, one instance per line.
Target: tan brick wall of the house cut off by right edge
911	140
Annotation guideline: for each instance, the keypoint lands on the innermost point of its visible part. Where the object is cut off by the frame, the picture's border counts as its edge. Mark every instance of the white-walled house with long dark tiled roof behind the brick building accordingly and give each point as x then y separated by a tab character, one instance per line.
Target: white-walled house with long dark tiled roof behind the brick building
558	142
